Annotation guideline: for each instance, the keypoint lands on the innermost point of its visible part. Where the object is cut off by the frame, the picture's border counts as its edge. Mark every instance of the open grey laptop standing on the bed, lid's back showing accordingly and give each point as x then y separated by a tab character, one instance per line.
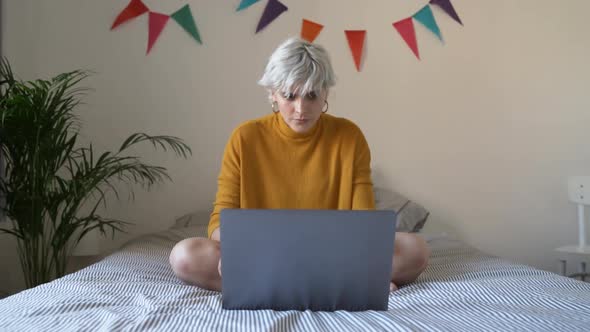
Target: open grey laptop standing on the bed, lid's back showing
321	260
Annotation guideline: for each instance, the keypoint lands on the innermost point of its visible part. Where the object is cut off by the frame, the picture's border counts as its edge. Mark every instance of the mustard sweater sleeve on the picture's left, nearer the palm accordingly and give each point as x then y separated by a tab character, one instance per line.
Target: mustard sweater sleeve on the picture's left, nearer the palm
228	182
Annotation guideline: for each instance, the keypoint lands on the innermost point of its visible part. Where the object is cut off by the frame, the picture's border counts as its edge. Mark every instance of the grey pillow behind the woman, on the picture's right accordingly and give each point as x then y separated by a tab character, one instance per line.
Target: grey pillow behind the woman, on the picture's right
411	216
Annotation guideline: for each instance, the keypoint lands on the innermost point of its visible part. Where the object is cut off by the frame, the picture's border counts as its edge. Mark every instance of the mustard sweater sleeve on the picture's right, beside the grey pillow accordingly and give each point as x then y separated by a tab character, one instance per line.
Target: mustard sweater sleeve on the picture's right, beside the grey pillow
362	186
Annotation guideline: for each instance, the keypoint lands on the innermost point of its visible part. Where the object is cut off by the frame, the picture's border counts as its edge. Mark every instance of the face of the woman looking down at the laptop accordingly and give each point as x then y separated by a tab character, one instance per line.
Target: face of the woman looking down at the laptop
300	112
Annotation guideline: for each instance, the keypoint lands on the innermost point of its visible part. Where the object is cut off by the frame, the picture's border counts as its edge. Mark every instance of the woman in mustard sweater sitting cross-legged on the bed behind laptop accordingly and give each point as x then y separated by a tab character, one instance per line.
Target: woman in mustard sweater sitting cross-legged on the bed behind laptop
297	157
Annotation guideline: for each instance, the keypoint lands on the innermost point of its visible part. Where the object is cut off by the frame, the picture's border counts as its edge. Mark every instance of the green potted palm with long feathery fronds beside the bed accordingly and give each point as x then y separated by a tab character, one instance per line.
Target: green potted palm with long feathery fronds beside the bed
48	178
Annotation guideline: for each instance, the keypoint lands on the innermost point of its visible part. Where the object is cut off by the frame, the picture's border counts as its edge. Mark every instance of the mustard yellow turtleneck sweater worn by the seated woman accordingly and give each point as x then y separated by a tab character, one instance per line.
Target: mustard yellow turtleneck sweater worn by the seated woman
267	165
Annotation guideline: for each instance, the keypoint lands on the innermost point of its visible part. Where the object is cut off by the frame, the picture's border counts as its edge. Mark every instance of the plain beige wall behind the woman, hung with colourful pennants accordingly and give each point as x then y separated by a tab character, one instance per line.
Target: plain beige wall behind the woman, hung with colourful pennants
483	131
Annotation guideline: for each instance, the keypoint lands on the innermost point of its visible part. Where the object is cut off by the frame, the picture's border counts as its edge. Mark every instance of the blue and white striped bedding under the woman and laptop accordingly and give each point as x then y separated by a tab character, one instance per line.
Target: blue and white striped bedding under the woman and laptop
462	290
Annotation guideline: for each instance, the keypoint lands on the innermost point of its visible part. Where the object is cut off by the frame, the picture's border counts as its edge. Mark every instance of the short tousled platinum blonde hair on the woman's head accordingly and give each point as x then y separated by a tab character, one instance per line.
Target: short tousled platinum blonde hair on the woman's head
298	66
